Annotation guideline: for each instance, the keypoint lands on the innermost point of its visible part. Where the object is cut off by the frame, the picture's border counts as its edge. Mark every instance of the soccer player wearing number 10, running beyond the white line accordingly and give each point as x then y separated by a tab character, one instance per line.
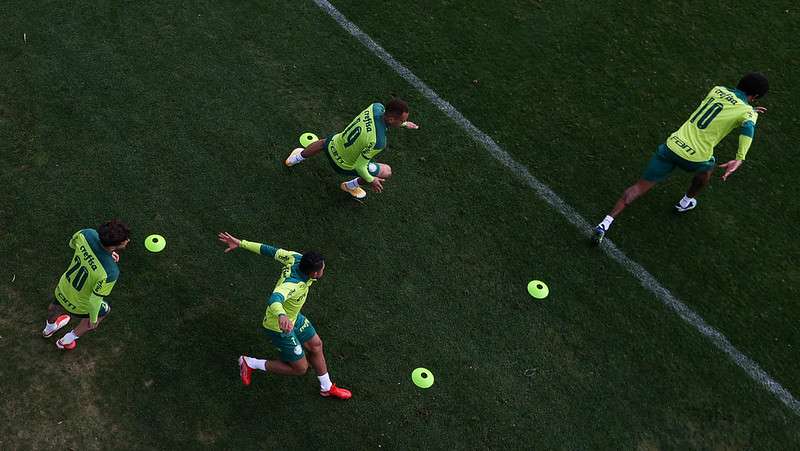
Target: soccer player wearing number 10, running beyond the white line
691	147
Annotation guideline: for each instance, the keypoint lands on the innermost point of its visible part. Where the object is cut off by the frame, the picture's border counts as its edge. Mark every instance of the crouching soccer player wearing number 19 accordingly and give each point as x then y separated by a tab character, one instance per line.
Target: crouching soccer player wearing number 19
351	151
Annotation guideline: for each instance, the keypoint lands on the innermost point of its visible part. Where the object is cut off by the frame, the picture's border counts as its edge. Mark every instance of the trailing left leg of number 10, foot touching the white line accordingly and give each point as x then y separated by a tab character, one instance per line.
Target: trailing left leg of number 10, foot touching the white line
658	168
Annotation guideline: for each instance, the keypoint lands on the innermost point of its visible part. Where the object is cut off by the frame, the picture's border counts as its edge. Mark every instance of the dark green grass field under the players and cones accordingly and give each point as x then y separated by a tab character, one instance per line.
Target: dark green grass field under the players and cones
176	117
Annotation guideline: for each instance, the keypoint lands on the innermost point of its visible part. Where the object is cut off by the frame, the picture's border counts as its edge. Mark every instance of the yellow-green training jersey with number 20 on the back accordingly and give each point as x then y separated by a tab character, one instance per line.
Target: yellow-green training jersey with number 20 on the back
91	275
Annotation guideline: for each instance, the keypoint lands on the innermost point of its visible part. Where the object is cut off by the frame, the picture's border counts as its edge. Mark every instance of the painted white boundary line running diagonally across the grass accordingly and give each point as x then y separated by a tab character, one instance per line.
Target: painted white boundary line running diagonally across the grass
648	281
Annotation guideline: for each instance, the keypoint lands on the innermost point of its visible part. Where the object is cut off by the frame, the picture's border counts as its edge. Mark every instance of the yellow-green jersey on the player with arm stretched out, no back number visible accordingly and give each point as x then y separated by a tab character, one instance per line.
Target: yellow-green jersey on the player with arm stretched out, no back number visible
290	292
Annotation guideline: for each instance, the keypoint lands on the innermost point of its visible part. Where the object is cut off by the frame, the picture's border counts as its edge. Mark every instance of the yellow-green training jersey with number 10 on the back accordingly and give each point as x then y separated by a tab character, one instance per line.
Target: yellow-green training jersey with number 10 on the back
722	110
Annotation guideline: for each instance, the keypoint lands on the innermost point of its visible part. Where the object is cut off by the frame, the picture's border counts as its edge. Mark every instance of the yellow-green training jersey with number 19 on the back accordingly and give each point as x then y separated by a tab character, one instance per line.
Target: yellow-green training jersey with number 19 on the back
362	140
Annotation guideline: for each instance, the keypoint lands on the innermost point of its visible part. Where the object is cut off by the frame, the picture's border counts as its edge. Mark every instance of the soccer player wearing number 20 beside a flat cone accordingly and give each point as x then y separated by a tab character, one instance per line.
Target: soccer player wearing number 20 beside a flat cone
91	276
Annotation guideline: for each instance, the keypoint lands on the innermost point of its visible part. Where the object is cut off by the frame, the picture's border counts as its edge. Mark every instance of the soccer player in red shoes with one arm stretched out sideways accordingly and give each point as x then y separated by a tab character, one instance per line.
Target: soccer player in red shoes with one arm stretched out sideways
285	326
